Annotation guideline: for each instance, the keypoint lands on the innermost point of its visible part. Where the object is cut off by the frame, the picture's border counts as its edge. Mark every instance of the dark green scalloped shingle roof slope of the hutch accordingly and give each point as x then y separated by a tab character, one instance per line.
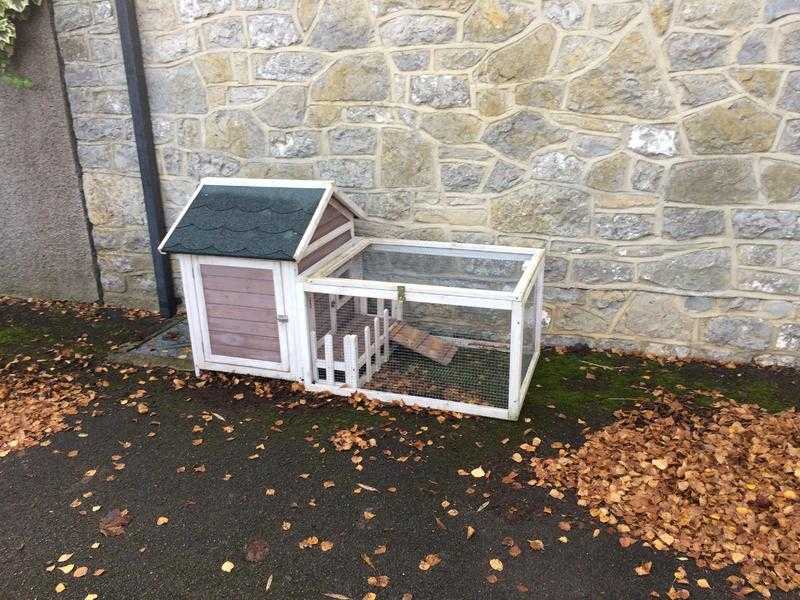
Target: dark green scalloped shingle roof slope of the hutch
245	221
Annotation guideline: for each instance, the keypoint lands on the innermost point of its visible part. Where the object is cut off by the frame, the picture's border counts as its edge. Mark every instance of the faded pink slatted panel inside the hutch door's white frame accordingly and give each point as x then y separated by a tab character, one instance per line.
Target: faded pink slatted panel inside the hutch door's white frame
242	318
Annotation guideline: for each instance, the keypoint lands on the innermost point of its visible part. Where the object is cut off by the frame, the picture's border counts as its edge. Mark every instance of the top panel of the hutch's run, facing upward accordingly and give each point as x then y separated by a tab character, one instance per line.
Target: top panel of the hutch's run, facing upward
435	266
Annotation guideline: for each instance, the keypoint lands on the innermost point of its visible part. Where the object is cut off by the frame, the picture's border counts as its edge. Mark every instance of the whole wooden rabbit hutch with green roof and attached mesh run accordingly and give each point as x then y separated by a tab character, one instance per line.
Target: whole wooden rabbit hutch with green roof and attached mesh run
277	284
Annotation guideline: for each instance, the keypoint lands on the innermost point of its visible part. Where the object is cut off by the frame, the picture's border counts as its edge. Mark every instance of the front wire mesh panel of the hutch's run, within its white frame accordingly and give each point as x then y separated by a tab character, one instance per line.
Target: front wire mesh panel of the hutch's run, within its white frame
454	353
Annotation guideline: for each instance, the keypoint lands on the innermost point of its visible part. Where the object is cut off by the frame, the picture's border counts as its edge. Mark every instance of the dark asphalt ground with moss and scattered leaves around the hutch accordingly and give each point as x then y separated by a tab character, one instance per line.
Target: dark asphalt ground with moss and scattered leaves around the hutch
265	466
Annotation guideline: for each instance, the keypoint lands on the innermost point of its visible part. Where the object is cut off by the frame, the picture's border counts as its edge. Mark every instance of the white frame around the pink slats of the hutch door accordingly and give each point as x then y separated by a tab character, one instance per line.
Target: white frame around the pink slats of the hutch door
283	333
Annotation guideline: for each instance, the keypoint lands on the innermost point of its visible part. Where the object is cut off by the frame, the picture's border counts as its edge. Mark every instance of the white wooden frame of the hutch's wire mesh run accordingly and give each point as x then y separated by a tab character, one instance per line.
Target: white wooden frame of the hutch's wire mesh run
322	278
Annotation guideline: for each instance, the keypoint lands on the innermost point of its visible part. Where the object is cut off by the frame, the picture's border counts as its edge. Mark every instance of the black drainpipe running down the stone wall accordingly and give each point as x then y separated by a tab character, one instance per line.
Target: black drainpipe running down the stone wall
146	151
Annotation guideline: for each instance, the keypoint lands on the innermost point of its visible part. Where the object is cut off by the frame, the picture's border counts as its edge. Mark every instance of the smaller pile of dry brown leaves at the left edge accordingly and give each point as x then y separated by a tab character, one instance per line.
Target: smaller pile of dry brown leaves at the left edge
34	405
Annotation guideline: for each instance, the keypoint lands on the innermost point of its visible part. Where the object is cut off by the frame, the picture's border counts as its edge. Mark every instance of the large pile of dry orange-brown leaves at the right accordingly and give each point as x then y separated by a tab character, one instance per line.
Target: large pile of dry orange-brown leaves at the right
719	485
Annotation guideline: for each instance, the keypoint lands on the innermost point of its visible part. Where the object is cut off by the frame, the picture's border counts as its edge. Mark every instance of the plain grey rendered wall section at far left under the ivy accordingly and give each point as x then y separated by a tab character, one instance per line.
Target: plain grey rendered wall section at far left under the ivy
45	248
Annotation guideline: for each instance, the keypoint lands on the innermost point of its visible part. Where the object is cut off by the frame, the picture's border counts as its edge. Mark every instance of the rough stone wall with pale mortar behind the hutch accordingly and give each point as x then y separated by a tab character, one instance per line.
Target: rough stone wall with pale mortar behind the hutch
650	145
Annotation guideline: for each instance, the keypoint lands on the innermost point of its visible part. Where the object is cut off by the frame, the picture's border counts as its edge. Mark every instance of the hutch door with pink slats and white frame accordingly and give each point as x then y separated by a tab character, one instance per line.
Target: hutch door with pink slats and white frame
242	308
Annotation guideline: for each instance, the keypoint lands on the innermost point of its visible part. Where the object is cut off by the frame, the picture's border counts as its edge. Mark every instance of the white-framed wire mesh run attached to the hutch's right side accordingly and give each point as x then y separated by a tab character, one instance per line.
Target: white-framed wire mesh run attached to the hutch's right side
445	326
